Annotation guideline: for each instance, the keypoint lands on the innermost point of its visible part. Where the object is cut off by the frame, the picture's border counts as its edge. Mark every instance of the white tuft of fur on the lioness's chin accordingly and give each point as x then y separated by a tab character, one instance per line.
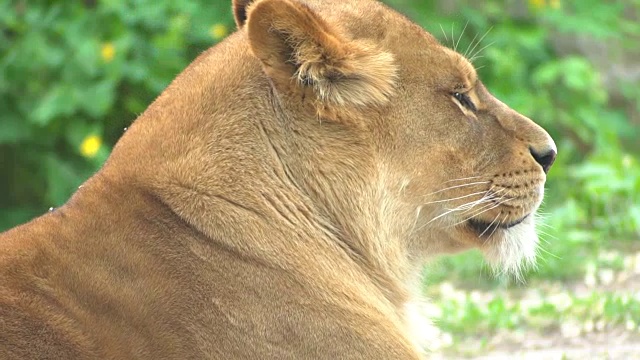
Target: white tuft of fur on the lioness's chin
514	250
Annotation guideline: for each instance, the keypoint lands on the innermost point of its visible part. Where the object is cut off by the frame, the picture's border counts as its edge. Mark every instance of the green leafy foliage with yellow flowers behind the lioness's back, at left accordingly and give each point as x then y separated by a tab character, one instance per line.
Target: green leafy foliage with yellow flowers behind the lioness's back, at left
75	69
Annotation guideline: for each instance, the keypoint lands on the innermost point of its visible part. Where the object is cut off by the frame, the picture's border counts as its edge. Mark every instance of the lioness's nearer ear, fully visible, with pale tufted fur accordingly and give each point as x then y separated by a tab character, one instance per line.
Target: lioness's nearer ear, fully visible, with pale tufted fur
297	48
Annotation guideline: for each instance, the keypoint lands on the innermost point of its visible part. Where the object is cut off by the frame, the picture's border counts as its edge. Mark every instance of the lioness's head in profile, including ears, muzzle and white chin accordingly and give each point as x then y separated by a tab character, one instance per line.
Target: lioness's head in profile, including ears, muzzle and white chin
393	135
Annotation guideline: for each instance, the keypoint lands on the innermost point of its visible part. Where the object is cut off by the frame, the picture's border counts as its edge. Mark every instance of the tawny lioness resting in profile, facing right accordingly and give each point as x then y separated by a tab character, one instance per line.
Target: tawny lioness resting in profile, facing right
277	201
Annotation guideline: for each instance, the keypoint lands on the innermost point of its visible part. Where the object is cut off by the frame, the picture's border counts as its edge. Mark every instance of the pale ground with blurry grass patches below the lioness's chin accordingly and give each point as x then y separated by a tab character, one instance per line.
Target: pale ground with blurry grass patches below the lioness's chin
594	315
